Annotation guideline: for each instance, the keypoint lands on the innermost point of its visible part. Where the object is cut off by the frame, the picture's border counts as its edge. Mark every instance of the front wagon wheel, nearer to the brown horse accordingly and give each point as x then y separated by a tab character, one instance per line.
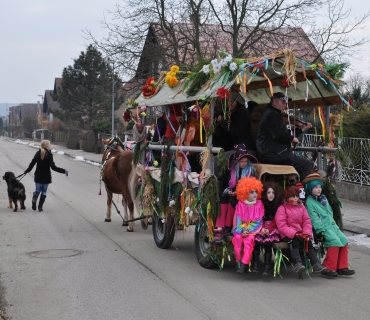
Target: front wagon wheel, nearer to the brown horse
163	231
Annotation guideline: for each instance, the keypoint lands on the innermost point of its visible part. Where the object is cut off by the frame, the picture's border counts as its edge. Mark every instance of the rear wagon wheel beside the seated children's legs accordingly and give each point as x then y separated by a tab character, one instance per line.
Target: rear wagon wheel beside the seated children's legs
203	246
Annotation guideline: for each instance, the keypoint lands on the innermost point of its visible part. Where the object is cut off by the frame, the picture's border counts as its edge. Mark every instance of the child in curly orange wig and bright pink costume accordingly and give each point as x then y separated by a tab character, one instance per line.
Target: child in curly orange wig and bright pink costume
247	219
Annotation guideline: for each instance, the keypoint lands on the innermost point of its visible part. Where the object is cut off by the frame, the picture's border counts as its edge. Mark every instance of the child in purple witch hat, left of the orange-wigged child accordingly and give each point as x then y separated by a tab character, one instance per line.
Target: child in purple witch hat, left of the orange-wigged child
239	166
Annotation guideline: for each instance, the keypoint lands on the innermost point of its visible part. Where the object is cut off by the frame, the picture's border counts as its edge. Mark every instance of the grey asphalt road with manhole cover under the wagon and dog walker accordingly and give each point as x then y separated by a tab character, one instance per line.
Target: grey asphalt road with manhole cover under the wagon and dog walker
122	275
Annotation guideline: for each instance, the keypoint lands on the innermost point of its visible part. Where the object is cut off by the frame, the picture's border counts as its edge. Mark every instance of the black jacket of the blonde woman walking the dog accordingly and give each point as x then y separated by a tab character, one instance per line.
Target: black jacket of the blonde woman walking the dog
42	172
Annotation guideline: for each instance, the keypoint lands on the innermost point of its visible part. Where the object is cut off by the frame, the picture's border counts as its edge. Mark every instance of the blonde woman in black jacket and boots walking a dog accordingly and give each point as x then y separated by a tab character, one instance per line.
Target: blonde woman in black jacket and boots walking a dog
44	162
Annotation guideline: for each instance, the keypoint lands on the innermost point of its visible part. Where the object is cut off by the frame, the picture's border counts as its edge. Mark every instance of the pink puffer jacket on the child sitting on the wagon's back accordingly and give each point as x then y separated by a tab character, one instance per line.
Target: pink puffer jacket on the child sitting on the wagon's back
291	219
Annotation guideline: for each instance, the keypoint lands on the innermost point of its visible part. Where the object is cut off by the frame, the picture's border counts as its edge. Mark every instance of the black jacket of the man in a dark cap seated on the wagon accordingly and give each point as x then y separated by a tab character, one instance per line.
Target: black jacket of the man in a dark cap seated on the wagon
274	139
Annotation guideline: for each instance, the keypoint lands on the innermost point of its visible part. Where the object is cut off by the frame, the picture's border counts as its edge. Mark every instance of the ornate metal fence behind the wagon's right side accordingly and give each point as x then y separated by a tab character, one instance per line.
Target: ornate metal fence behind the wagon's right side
355	165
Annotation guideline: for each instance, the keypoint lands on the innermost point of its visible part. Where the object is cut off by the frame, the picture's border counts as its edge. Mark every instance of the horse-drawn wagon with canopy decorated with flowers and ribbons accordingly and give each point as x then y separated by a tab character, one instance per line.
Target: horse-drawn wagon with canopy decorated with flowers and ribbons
177	196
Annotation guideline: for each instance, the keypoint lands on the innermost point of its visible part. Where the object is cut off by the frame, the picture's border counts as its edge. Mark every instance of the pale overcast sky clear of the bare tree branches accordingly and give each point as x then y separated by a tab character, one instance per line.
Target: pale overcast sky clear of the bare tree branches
40	37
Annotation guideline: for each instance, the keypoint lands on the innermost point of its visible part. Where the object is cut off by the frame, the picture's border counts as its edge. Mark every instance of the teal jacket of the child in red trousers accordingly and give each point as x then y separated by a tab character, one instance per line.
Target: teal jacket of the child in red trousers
323	221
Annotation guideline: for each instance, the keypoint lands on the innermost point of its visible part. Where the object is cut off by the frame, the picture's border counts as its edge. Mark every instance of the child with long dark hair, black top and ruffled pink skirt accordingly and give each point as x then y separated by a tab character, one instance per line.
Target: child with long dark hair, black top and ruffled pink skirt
271	199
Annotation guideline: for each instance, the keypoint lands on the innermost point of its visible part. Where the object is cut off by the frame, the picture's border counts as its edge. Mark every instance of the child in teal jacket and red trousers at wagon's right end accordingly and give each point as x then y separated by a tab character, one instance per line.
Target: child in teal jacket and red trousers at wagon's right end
327	231
